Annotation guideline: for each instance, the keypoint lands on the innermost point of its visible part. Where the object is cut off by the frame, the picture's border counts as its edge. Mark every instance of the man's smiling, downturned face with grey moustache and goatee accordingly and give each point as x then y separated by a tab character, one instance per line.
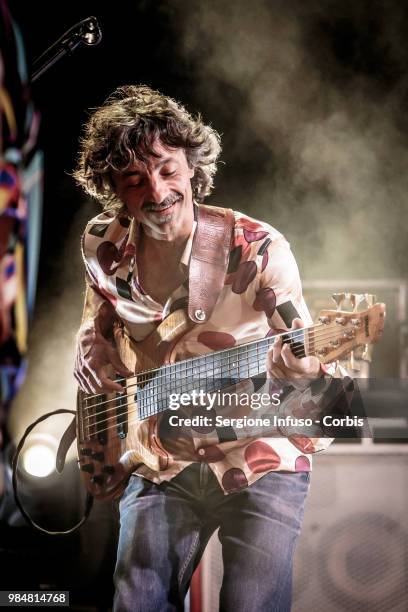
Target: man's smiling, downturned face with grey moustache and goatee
158	193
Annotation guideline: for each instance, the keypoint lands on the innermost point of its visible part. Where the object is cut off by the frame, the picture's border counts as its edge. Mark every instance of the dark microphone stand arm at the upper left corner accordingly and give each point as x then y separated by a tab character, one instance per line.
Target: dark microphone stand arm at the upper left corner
85	32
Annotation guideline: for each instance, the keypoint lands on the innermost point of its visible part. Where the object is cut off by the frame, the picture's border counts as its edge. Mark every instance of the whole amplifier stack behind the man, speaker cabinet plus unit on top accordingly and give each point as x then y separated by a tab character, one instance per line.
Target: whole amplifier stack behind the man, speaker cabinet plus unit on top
353	549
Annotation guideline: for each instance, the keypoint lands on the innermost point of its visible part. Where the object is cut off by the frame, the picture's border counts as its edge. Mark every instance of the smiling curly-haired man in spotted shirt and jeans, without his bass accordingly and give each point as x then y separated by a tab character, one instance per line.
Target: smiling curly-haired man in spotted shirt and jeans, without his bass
149	162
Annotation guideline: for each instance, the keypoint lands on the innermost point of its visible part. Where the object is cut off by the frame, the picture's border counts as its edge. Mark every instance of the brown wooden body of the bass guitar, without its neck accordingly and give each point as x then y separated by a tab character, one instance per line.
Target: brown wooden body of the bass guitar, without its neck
111	440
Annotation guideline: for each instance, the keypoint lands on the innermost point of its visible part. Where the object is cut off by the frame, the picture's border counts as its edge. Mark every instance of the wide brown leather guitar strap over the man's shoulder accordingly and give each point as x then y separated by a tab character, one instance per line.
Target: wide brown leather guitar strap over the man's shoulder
209	260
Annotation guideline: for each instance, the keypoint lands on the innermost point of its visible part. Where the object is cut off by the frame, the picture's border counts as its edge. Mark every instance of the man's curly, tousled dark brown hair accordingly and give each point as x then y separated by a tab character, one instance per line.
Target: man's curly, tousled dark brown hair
124	129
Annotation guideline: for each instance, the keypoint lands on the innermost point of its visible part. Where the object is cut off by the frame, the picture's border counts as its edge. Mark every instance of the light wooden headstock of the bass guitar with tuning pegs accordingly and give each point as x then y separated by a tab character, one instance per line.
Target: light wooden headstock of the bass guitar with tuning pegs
341	332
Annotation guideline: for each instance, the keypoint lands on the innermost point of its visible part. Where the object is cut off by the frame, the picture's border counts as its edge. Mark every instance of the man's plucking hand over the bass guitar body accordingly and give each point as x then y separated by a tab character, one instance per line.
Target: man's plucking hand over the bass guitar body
94	354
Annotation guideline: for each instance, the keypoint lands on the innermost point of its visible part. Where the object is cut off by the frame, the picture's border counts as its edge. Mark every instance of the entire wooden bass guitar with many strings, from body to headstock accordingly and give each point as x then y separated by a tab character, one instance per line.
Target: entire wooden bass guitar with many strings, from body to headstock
113	438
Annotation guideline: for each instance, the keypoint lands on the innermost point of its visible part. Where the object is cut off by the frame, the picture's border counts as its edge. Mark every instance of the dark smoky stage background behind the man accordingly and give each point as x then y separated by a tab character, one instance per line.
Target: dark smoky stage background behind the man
310	99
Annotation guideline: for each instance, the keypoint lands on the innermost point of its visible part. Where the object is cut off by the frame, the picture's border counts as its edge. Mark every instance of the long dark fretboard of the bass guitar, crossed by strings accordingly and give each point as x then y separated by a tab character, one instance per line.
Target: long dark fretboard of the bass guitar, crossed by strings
209	373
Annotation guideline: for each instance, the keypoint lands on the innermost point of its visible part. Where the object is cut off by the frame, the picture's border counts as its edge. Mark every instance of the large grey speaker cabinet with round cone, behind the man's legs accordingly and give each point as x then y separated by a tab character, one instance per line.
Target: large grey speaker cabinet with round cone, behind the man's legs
353	549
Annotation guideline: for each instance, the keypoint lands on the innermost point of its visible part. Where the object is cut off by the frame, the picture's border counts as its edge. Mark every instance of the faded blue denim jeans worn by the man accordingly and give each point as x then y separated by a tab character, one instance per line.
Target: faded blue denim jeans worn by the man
164	530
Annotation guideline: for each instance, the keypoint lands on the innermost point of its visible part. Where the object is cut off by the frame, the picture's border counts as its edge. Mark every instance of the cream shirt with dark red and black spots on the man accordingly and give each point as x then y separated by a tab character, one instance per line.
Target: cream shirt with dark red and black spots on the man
262	294
